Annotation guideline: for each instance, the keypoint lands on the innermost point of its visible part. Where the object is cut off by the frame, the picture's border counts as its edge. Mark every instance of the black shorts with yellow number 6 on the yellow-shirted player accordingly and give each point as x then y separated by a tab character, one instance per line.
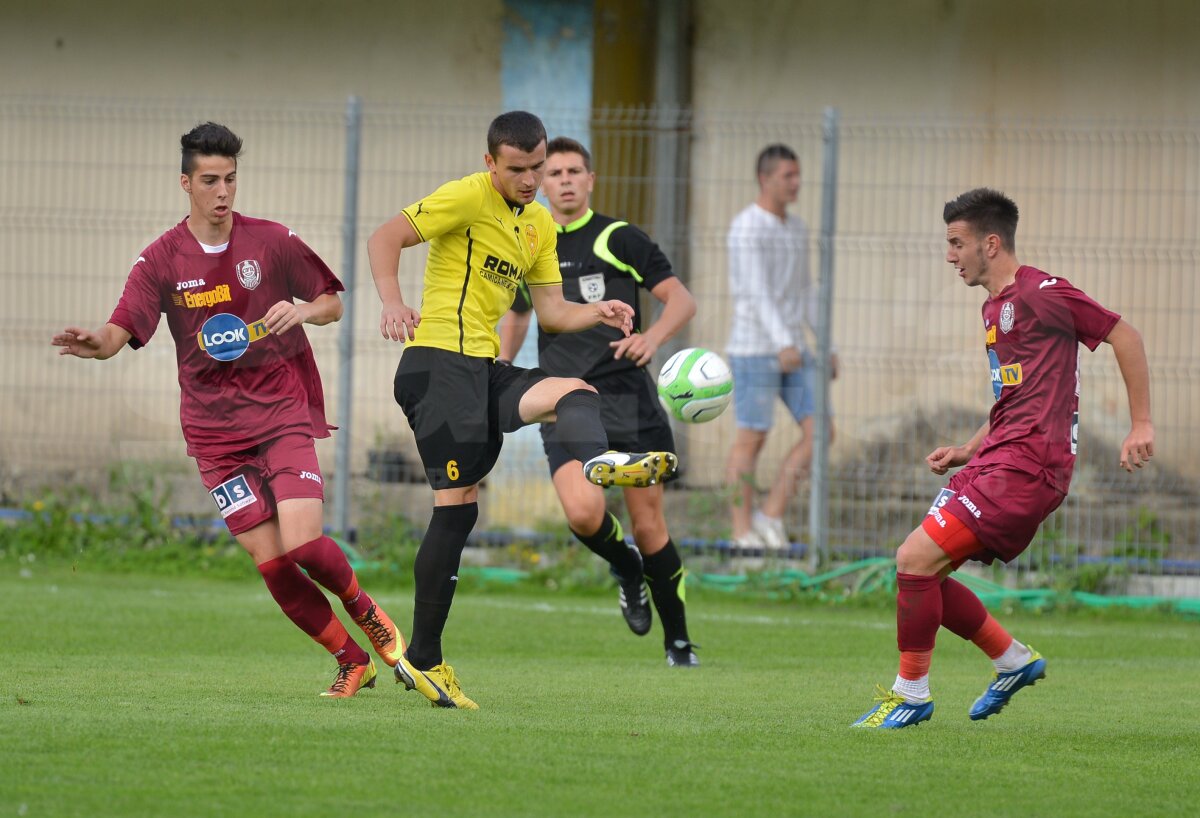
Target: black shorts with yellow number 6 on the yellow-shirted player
460	408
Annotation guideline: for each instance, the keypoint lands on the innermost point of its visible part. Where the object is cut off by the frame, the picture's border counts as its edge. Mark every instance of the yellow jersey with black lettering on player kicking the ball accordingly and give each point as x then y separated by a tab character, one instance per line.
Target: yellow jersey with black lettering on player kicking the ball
481	251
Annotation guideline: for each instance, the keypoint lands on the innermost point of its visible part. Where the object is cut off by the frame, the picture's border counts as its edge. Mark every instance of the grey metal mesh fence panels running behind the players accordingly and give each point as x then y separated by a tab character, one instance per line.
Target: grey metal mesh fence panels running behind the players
1113	208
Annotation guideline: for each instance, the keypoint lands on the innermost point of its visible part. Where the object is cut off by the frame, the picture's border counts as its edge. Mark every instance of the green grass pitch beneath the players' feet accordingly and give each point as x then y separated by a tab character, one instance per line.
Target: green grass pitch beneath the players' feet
133	696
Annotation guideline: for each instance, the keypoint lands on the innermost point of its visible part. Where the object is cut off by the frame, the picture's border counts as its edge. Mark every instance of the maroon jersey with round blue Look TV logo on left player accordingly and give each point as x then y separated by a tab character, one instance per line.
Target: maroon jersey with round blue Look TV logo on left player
241	386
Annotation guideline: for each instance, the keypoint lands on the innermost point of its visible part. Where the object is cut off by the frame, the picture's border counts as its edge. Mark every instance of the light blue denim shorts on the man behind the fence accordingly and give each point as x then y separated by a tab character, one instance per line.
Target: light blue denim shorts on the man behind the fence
758	382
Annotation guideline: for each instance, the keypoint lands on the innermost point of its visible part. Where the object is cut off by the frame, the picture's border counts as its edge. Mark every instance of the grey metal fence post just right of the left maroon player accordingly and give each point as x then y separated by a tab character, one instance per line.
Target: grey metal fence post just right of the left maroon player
346	334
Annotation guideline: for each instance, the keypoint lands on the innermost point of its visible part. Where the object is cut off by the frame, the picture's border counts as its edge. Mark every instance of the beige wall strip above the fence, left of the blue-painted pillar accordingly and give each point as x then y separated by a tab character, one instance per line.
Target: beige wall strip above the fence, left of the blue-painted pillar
261	50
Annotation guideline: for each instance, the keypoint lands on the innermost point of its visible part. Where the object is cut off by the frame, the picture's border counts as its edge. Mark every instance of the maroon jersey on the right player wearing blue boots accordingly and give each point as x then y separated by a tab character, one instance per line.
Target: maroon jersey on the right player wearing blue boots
1034	330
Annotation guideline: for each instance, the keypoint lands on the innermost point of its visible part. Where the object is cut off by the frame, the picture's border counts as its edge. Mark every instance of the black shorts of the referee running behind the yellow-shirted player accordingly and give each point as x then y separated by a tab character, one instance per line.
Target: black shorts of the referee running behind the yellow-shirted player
632	414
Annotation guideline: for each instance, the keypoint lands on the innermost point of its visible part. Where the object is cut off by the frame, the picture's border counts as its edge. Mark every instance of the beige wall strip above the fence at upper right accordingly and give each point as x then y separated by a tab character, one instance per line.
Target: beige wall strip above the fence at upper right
964	58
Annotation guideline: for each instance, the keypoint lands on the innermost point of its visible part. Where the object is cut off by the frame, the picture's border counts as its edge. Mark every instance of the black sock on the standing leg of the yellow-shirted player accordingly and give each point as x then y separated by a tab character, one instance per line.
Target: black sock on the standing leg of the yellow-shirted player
437	575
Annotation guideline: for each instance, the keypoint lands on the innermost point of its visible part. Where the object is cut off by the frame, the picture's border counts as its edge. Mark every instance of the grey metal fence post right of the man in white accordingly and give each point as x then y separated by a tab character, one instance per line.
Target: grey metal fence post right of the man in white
819	501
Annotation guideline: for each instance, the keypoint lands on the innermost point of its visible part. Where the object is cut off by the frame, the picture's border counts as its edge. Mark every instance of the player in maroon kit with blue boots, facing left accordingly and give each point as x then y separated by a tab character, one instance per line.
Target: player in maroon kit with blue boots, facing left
1018	466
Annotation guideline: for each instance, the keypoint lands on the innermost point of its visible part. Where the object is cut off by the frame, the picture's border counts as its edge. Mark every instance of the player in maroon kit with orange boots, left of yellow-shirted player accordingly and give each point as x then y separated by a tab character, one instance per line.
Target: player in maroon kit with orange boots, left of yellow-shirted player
251	398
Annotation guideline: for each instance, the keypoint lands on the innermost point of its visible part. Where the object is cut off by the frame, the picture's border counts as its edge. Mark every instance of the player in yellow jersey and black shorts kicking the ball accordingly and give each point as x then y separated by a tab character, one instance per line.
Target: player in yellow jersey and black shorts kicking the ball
487	237
